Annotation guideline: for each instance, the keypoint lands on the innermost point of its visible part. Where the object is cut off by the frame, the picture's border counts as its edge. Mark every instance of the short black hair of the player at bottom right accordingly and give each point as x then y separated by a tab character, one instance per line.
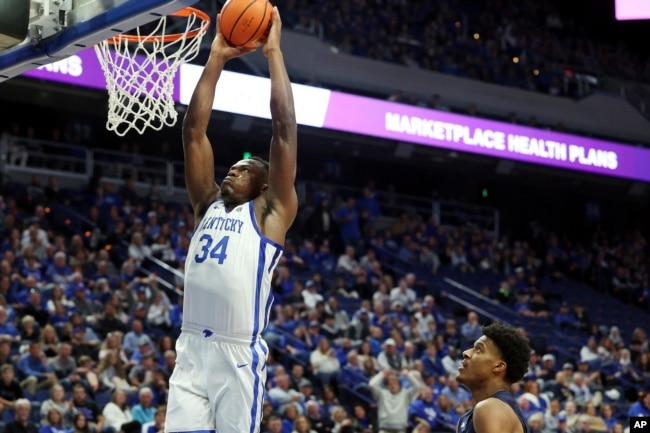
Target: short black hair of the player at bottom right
514	349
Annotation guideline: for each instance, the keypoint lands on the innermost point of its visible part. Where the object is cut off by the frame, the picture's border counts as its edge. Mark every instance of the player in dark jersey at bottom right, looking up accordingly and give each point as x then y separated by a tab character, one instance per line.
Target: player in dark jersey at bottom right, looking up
498	359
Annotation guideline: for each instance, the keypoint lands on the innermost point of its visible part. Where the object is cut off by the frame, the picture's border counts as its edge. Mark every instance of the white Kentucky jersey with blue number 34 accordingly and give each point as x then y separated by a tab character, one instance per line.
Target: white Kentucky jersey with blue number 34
228	272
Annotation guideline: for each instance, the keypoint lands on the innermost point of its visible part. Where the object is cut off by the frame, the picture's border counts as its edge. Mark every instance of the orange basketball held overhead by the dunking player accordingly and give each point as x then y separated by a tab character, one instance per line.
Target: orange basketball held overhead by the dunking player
246	23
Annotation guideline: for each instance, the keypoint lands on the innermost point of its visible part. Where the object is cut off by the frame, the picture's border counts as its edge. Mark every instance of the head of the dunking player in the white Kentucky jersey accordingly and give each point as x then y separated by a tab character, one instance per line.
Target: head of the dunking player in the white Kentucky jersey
244	181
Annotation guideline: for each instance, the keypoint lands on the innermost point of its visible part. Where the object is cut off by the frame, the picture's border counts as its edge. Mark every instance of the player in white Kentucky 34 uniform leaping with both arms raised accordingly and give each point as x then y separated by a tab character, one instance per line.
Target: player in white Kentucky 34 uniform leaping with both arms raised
219	379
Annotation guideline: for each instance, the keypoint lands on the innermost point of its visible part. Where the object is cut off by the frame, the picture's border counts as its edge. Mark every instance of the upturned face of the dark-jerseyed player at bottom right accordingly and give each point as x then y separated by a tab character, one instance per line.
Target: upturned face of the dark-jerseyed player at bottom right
479	362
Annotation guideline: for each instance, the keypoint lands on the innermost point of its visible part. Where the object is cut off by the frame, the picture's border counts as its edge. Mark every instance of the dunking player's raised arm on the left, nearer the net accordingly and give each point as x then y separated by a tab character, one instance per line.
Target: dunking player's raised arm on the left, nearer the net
199	159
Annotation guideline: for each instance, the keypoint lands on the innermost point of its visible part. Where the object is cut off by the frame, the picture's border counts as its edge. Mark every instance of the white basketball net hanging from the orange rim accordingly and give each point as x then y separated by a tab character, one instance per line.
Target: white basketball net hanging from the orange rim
140	76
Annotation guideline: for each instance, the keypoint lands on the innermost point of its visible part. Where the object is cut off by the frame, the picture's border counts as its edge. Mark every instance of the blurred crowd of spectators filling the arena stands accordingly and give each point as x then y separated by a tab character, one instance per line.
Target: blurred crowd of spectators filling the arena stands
376	295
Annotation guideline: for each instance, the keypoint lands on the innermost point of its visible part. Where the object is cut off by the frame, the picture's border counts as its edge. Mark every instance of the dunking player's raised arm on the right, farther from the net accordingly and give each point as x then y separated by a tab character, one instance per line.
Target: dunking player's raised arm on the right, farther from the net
283	152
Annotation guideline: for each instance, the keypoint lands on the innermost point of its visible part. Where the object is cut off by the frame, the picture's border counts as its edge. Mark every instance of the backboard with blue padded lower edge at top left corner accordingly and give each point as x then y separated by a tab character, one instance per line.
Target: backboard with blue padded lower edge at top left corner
61	28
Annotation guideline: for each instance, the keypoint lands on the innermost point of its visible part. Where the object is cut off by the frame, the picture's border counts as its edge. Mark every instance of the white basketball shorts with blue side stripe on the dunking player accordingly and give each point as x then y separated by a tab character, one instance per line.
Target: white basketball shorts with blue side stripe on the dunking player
217	385
